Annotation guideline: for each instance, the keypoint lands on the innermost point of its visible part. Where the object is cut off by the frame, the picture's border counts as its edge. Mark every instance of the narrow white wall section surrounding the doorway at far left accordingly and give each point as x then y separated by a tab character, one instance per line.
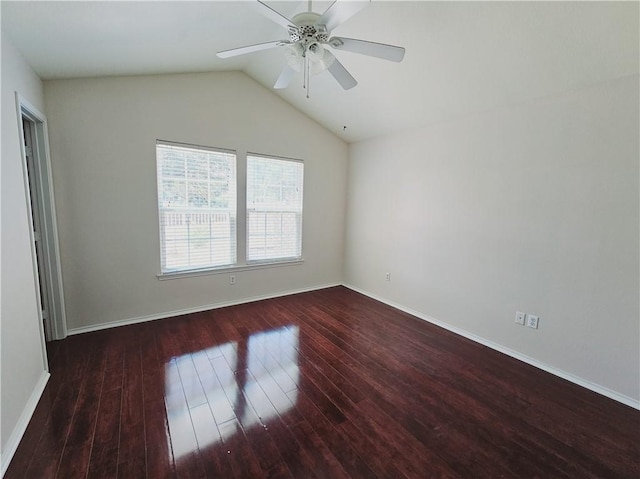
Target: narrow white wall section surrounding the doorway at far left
22	362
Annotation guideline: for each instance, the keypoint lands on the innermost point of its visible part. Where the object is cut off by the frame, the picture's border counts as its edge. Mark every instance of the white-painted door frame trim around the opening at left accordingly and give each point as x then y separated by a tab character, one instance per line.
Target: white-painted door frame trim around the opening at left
56	322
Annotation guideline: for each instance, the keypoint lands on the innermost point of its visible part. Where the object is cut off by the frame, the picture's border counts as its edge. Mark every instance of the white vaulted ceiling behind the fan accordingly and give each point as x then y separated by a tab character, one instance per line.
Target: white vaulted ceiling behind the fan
461	57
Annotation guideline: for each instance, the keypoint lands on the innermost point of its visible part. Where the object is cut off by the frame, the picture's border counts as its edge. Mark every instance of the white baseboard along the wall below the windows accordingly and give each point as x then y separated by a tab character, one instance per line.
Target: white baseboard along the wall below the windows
197	309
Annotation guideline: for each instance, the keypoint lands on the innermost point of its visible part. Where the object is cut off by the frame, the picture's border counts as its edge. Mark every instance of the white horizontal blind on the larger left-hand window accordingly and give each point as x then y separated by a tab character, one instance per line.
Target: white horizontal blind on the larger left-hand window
196	206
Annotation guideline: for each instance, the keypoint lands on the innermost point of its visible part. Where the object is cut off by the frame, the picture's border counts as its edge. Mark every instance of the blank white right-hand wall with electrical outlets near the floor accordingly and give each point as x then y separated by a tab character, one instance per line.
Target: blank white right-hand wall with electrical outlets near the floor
531	208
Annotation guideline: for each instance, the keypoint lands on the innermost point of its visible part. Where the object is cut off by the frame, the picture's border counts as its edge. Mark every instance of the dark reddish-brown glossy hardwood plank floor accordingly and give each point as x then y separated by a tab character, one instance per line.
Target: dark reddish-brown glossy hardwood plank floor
327	384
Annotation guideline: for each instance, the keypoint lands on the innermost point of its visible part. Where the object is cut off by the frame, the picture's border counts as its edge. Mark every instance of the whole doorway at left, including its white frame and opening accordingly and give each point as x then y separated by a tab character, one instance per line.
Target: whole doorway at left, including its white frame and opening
39	185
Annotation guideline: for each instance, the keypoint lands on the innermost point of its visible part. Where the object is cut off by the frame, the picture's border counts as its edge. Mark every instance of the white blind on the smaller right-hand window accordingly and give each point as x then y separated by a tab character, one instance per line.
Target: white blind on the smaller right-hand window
274	208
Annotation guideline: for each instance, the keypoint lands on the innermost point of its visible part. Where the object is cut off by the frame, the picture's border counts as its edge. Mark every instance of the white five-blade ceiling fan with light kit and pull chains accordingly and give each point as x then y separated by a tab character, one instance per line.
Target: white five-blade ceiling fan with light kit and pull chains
307	48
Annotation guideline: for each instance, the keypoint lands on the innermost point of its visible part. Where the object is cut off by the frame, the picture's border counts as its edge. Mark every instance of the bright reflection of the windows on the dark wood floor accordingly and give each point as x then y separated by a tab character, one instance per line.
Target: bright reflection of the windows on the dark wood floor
210	393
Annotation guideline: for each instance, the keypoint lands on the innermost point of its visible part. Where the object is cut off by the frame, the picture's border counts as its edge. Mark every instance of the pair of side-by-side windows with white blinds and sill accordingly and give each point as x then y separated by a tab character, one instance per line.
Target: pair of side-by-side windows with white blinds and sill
198	191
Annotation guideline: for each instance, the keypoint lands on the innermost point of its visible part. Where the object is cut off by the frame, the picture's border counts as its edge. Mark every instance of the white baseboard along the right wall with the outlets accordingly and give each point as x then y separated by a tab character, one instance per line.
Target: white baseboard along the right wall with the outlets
509	352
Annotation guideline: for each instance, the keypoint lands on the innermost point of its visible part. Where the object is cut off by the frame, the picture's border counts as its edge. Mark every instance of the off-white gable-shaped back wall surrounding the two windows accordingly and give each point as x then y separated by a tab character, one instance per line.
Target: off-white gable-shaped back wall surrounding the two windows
102	135
